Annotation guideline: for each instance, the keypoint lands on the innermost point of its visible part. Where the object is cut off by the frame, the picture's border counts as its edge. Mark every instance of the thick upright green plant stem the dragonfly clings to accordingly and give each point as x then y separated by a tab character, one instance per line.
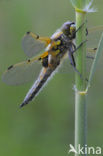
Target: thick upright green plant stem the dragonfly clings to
80	99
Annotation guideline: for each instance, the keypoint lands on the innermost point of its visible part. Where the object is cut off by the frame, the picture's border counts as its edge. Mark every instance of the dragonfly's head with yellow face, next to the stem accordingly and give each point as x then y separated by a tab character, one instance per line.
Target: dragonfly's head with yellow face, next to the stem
69	29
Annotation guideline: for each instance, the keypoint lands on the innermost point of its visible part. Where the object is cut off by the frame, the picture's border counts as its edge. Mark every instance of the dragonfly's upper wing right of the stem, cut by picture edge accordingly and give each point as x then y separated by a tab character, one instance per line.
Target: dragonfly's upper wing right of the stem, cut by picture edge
93	36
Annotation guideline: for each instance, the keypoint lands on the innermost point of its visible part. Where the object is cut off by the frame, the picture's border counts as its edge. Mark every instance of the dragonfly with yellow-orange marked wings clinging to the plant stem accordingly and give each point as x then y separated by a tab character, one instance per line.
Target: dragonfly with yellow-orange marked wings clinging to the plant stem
42	67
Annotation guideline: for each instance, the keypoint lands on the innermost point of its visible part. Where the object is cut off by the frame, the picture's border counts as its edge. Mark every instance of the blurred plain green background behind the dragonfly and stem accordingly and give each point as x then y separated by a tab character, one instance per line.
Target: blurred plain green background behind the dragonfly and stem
46	125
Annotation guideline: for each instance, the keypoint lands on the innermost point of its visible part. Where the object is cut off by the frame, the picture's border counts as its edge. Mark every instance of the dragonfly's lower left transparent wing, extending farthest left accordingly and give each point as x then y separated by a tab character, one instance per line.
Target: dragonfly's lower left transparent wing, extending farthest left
22	72
